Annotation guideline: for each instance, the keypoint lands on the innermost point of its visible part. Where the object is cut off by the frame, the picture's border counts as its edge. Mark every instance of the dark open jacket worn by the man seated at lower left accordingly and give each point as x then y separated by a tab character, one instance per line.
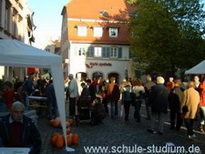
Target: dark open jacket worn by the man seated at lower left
30	137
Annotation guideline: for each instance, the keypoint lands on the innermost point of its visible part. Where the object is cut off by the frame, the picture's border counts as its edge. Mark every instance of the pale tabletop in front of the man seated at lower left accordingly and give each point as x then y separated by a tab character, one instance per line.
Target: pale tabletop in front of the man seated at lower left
14	150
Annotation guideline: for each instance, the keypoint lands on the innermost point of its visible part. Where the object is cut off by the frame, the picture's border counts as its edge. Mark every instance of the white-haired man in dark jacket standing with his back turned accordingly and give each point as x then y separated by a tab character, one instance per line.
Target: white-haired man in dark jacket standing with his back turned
159	106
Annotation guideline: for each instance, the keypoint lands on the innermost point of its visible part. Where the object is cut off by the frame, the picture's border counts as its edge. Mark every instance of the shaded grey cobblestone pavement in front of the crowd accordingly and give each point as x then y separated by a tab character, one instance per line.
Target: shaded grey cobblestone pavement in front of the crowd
114	133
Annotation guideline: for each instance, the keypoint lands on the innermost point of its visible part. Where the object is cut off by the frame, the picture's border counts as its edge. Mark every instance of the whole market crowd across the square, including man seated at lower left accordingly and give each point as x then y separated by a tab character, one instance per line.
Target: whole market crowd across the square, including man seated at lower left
160	98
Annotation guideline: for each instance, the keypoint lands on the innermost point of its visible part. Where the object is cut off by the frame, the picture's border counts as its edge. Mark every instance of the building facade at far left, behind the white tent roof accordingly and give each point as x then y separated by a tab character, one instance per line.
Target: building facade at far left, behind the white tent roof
15	23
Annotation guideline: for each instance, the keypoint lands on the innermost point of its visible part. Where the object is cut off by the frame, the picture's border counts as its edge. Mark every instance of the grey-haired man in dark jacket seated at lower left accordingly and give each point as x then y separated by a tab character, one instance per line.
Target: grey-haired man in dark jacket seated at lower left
18	130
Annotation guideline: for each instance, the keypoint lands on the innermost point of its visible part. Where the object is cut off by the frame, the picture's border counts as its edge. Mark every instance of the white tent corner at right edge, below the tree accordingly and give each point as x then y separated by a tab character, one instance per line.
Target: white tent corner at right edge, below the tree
198	69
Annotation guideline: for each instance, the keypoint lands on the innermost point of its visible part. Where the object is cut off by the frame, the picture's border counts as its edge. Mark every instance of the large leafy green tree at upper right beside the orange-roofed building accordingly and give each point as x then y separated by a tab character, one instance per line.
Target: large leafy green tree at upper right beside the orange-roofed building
167	35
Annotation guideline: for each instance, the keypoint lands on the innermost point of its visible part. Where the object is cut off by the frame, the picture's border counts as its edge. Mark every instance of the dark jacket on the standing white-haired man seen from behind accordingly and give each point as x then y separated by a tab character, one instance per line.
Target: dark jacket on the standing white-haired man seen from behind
158	98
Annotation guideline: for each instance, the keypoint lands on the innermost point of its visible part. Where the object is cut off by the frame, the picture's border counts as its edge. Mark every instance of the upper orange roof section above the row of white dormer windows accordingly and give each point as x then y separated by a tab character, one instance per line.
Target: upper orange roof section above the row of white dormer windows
90	9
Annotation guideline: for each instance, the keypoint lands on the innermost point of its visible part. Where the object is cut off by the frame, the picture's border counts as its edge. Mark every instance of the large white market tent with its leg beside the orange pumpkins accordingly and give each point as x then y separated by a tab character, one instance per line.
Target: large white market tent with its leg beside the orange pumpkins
17	54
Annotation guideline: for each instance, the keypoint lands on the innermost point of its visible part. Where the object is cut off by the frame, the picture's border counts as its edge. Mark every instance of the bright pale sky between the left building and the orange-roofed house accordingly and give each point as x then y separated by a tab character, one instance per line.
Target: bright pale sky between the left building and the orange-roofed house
48	19
